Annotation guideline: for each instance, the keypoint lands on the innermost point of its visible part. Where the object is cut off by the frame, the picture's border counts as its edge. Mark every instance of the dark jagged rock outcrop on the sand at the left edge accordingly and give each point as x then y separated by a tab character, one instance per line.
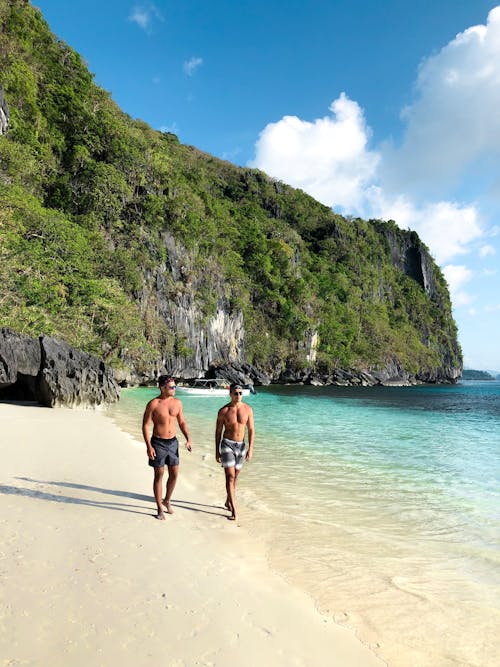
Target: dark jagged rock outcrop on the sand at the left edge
52	373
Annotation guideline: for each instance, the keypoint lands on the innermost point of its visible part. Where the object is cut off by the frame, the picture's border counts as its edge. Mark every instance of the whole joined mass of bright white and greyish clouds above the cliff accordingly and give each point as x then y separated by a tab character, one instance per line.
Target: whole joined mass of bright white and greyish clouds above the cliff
452	124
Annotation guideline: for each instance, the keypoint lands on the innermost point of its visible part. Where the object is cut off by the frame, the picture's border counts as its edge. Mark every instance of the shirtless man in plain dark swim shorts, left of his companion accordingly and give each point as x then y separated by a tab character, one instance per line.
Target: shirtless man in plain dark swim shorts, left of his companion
163	447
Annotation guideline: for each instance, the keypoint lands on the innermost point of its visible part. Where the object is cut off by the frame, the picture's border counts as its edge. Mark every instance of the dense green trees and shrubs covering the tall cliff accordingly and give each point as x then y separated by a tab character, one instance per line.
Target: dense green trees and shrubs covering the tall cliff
91	200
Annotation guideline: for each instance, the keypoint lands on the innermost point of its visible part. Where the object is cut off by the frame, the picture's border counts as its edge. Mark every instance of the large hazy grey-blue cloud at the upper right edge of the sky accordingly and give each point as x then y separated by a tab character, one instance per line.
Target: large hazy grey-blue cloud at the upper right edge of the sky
454	120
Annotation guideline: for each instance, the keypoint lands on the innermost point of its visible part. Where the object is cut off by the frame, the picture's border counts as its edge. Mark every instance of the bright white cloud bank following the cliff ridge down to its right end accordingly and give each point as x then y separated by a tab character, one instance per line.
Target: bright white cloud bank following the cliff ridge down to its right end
330	159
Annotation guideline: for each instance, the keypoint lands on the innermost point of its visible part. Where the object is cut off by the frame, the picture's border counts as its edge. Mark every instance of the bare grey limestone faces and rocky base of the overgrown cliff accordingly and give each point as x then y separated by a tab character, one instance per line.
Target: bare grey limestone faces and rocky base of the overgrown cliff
215	345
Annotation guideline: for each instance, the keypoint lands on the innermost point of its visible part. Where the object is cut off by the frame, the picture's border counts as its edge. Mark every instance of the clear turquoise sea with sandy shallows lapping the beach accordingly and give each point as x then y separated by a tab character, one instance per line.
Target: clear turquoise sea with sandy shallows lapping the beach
383	503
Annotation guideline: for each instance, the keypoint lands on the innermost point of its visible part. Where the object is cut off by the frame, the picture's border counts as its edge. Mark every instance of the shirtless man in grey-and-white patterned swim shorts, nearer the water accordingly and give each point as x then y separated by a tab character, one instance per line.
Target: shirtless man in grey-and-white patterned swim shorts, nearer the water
230	451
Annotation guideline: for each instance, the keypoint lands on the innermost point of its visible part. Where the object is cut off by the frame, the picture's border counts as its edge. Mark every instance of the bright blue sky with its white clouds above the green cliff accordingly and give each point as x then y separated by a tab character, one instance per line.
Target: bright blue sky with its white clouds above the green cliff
379	109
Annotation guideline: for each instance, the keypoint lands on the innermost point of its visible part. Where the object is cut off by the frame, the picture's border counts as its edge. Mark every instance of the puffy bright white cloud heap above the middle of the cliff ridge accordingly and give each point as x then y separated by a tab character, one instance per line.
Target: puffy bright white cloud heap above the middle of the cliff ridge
328	158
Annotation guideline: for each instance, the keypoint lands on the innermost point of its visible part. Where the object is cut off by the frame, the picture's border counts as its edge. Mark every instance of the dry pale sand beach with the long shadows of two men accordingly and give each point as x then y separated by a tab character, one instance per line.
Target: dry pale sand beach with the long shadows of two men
89	577
